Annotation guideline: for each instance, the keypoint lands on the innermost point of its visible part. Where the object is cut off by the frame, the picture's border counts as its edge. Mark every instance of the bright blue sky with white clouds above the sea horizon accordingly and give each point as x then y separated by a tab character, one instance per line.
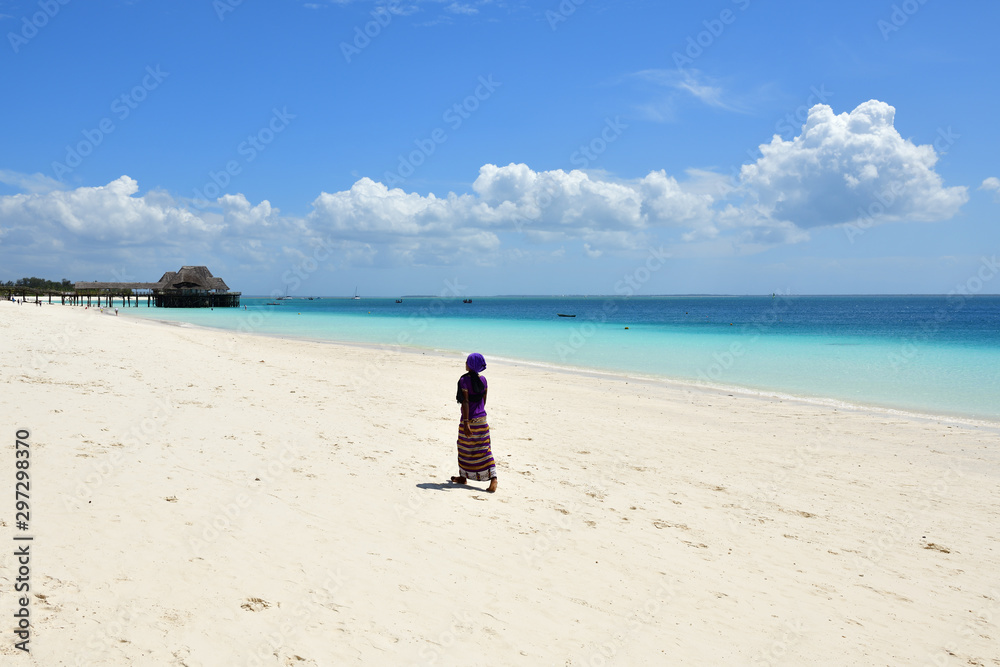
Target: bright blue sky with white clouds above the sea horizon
553	147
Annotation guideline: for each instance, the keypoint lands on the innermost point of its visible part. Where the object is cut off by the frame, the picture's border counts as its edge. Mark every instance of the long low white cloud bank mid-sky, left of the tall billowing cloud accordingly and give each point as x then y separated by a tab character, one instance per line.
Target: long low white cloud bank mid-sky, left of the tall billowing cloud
547	206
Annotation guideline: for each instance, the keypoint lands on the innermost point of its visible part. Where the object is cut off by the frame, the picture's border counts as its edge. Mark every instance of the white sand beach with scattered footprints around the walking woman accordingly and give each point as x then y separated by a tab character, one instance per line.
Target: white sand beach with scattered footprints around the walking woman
208	498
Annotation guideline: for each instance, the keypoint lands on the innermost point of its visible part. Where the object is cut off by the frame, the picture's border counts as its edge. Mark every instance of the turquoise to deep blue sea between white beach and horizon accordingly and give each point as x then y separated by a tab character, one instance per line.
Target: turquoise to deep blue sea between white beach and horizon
926	354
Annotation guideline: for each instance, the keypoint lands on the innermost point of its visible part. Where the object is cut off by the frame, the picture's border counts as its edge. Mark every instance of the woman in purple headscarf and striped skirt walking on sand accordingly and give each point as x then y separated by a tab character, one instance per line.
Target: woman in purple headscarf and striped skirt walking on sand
475	457
